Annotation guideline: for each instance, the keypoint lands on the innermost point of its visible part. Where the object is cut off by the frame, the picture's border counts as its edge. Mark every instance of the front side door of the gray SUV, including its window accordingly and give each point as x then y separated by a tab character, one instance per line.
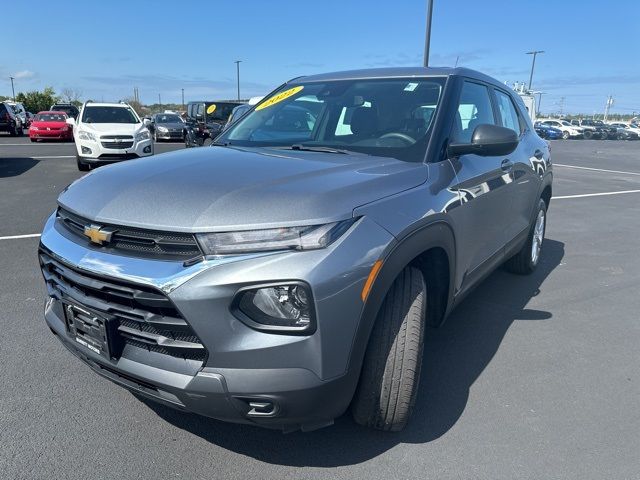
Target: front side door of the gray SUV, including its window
482	184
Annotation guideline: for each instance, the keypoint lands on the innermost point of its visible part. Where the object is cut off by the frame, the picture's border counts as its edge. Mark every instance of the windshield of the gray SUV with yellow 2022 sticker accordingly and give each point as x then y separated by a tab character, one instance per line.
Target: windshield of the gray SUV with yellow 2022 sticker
388	117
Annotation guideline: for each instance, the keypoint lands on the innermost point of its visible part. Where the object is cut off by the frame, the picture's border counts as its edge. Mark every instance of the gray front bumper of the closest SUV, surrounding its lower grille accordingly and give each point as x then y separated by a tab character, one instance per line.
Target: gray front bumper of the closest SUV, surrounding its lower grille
307	381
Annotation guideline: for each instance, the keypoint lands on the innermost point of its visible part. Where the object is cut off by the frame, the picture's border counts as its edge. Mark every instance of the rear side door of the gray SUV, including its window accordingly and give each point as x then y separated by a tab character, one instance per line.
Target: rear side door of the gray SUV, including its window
529	164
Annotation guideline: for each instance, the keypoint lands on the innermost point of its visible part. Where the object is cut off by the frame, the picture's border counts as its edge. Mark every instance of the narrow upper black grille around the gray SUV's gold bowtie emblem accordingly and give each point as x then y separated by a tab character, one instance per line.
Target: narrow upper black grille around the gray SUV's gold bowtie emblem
130	240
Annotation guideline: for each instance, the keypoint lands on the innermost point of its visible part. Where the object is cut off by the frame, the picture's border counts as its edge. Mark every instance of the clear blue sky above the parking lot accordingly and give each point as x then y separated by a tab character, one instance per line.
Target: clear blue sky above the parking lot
592	47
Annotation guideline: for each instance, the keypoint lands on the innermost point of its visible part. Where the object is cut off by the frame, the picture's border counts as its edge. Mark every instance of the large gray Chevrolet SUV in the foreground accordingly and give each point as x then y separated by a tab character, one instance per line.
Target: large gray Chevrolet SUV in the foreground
290	271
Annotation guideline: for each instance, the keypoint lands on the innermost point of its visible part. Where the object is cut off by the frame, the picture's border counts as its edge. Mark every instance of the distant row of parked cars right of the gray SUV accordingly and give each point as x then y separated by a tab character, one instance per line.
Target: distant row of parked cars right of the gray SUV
588	129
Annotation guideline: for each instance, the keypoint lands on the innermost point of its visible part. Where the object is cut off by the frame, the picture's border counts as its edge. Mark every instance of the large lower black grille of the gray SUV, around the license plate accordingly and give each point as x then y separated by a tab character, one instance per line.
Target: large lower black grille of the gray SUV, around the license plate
146	318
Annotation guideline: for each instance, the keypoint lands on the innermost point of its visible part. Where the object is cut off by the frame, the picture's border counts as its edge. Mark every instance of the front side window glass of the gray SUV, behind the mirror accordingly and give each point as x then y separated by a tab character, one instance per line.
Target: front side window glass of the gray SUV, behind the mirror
474	108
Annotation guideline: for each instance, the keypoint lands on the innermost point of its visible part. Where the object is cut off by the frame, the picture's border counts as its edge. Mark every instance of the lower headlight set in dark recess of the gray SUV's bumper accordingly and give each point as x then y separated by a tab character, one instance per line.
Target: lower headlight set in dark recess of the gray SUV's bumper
285	308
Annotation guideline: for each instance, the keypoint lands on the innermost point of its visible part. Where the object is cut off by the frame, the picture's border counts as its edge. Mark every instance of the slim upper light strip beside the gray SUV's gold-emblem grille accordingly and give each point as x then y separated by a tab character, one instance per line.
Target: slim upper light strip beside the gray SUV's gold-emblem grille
289	238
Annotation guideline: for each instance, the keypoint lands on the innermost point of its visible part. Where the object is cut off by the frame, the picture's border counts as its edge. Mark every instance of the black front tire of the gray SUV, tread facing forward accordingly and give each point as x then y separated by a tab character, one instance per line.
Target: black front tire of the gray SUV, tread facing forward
391	370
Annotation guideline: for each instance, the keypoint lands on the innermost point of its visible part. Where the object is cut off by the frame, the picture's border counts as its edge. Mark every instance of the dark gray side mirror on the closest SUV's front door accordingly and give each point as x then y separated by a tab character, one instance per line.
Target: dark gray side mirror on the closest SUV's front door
487	141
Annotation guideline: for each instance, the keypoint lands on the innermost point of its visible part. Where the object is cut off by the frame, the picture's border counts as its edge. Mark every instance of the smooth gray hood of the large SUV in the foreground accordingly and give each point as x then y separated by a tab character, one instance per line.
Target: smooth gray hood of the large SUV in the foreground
220	188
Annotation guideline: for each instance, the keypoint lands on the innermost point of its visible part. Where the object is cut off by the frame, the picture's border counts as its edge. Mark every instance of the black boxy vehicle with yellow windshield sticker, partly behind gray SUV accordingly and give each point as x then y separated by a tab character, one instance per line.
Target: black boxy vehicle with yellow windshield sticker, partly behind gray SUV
205	120
